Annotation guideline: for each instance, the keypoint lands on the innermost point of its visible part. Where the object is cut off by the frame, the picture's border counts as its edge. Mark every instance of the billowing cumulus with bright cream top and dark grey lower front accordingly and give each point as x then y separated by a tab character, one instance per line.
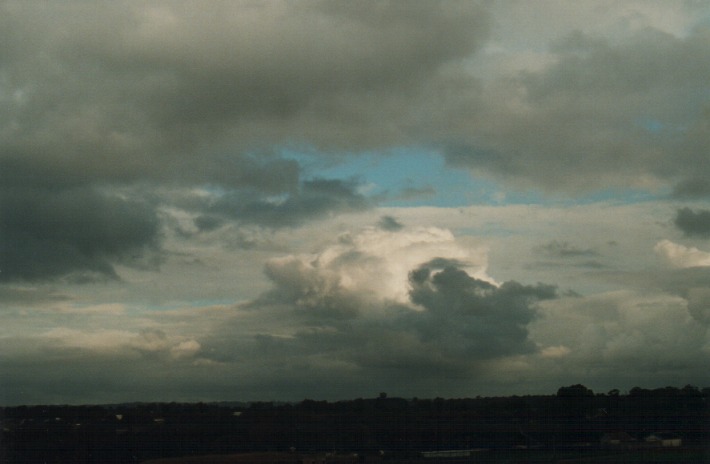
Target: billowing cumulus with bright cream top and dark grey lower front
383	303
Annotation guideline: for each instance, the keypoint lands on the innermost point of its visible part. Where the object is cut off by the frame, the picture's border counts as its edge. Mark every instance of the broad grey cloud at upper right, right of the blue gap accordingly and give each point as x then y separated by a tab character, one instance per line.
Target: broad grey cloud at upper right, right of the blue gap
603	114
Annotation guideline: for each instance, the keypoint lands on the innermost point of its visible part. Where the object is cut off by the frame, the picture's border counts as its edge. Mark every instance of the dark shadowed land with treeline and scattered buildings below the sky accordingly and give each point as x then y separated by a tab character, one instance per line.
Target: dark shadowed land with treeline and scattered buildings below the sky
573	425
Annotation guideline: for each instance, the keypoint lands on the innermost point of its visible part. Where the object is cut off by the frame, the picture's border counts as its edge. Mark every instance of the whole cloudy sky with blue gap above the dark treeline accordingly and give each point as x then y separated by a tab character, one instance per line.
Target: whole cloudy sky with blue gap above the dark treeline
279	200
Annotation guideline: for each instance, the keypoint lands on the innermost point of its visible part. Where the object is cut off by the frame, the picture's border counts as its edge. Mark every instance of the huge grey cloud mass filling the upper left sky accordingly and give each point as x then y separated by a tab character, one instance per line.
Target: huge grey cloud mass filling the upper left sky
168	91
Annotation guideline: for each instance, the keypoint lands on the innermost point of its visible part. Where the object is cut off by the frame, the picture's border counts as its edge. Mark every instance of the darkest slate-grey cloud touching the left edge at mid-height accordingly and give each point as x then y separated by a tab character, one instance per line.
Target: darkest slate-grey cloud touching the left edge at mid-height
48	233
